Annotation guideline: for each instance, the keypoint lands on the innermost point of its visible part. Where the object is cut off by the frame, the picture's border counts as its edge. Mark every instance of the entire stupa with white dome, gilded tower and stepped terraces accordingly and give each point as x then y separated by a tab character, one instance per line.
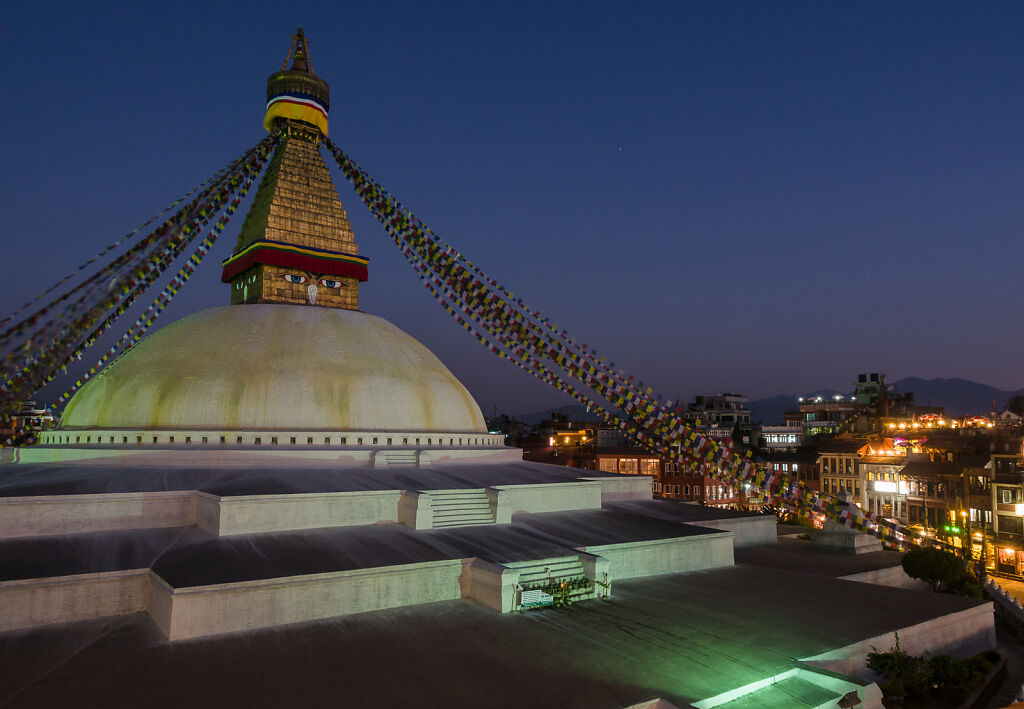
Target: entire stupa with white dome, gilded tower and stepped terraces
290	460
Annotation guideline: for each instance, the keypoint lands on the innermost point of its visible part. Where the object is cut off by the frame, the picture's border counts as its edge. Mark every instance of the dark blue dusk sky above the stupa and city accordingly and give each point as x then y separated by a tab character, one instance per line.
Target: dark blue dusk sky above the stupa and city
763	198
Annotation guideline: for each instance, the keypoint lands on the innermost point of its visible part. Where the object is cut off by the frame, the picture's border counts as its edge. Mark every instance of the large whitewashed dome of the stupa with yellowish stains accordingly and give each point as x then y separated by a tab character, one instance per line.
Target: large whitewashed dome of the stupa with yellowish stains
277	367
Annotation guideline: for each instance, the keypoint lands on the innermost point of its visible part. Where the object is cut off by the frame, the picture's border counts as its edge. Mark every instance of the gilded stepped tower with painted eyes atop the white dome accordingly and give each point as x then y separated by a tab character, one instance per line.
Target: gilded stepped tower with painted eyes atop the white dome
296	245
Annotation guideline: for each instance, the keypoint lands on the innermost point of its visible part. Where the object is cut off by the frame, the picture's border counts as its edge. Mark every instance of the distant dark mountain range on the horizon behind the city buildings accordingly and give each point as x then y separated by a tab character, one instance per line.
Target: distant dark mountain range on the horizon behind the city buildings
959	397
